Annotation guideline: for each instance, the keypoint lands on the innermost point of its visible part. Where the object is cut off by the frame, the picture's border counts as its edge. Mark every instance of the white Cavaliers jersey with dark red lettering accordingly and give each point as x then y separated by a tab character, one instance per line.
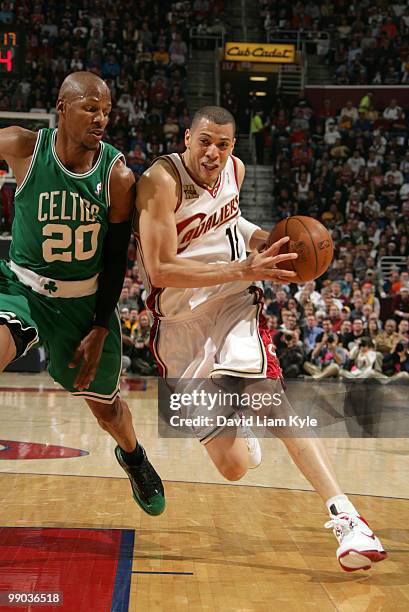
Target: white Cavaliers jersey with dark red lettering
207	229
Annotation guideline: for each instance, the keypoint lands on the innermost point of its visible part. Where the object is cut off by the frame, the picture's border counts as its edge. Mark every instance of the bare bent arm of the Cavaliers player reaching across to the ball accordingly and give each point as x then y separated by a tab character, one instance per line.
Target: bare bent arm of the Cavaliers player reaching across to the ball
156	203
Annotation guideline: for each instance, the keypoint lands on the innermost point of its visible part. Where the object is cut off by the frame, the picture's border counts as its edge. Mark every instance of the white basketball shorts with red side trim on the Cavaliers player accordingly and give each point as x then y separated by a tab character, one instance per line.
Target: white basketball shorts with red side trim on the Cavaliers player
228	337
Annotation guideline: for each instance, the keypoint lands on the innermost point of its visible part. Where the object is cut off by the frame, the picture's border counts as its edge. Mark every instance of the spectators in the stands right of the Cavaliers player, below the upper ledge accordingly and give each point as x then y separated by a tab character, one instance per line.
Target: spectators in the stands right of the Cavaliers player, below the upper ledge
350	169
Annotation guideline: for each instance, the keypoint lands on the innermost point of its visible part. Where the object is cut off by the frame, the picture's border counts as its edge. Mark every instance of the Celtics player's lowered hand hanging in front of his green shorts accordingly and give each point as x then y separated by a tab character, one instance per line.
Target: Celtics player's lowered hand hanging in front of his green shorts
89	353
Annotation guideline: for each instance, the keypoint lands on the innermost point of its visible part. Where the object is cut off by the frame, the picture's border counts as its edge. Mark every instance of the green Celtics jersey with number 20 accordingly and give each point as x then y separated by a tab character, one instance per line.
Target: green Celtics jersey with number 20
61	218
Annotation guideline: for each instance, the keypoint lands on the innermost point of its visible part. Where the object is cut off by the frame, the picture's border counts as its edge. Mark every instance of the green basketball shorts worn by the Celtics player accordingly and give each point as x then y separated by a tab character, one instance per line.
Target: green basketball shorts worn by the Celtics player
60	324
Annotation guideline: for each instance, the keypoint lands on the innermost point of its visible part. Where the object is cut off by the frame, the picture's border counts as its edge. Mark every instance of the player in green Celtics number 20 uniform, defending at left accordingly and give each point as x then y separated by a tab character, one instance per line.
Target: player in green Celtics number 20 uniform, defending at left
73	206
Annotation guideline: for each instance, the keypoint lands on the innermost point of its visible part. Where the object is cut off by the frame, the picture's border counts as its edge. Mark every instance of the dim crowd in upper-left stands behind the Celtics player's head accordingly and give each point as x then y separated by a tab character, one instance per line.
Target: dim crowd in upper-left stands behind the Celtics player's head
141	54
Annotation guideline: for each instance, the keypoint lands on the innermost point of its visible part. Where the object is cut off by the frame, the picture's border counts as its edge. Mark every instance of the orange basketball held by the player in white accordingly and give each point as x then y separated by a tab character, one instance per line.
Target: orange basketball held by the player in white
311	240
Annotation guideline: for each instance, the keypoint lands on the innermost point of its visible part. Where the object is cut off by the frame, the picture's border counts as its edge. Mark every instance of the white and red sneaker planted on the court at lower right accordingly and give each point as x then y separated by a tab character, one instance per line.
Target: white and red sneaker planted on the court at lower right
358	545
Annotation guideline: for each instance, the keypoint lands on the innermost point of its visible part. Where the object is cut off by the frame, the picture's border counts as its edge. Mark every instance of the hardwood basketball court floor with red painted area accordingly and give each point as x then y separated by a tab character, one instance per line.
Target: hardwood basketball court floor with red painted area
257	545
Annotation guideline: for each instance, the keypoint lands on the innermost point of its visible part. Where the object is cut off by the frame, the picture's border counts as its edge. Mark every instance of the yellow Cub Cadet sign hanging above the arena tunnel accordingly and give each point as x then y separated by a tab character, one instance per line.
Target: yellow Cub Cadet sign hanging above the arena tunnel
263	52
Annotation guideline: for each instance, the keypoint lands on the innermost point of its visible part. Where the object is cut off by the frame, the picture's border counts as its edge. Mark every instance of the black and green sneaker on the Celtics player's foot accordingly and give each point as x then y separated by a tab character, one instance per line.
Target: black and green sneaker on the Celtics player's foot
147	487
